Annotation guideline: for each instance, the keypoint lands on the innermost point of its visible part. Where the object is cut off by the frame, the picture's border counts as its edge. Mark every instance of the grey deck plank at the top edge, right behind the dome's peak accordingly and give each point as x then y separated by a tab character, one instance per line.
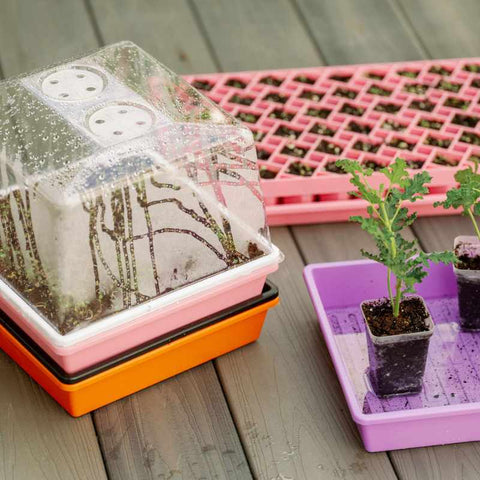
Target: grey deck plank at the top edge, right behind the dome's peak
168	31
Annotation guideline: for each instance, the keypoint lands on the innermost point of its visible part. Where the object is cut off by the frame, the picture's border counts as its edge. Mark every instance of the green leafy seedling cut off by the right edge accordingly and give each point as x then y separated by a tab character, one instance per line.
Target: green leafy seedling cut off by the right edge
467	195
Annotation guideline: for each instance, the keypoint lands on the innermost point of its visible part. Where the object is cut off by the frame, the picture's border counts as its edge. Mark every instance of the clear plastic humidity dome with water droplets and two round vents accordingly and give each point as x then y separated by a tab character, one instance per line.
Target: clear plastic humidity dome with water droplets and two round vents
120	183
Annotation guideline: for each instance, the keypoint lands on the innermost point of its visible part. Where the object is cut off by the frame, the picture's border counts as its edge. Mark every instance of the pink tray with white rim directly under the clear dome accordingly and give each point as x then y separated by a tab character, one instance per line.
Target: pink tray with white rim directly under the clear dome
106	338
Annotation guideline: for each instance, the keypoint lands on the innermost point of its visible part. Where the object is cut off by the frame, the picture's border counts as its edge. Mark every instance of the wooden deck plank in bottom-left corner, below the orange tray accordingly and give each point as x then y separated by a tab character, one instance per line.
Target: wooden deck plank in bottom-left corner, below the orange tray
38	439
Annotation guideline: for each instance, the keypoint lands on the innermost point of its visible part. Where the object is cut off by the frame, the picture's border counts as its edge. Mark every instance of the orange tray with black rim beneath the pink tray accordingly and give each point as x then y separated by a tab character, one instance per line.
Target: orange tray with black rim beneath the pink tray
145	366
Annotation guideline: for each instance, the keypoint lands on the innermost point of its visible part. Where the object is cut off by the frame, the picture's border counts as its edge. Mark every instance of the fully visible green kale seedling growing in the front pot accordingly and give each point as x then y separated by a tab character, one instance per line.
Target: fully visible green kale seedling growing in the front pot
386	219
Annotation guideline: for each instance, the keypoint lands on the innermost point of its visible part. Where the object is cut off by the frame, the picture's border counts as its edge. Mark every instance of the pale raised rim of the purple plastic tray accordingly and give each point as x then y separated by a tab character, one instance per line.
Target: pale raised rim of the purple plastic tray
358	416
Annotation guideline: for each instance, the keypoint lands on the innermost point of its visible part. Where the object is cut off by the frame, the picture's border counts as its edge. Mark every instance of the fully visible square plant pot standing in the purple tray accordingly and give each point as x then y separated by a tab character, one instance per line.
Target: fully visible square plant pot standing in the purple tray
397	362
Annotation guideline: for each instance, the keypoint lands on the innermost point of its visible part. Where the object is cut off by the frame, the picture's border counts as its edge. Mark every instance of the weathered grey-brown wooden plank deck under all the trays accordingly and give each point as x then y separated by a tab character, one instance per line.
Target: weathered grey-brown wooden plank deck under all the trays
272	410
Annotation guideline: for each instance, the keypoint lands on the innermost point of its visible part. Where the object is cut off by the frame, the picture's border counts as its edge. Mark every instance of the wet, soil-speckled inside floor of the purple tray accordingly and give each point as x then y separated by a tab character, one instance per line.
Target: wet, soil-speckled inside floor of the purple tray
452	374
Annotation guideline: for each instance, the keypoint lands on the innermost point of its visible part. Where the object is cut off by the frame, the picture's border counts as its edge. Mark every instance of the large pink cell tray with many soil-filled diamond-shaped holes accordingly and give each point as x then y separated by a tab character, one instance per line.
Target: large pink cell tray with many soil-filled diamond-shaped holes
304	119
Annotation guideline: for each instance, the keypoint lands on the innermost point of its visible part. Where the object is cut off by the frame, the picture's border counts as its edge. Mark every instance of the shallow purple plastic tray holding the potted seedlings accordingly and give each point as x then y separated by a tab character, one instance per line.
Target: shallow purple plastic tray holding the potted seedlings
448	408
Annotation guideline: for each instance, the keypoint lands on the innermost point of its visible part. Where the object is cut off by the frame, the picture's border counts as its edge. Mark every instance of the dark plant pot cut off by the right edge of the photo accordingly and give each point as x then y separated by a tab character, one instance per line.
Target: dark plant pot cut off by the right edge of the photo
468	282
